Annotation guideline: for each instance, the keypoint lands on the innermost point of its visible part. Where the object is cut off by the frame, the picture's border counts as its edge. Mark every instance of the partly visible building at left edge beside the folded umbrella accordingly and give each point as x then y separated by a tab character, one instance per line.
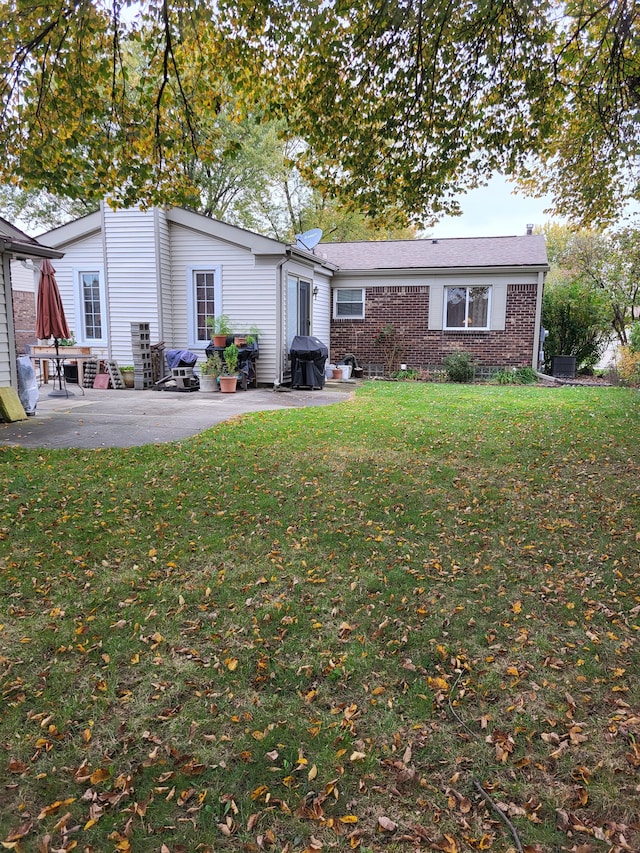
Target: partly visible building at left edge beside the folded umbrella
14	246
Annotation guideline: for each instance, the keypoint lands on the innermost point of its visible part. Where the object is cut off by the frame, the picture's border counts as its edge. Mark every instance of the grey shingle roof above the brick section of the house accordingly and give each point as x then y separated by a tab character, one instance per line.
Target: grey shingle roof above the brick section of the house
449	253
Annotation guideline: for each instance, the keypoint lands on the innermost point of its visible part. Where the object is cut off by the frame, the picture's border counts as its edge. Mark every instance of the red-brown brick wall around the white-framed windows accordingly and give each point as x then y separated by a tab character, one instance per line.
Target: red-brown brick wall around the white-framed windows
407	309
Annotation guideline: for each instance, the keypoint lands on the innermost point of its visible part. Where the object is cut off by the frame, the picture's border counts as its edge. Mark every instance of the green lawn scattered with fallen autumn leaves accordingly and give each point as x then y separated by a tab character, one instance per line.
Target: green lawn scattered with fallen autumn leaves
407	620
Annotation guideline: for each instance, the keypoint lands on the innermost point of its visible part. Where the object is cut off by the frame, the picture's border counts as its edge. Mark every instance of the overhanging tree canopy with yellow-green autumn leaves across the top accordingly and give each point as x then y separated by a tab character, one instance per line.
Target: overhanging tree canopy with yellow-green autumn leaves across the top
401	105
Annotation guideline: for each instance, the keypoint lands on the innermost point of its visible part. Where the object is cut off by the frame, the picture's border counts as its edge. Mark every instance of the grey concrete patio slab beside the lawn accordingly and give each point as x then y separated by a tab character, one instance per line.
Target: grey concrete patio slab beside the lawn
128	418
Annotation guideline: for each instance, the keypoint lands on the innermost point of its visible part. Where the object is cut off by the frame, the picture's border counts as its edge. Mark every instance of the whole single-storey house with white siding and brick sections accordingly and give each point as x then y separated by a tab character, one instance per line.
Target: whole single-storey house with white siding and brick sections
173	268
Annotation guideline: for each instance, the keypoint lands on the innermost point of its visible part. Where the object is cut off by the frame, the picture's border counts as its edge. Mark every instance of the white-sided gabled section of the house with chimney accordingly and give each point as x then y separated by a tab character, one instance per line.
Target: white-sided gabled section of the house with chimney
174	268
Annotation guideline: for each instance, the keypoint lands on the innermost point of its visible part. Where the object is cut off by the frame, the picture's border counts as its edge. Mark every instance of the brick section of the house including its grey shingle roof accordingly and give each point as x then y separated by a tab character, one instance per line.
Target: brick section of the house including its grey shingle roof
480	295
